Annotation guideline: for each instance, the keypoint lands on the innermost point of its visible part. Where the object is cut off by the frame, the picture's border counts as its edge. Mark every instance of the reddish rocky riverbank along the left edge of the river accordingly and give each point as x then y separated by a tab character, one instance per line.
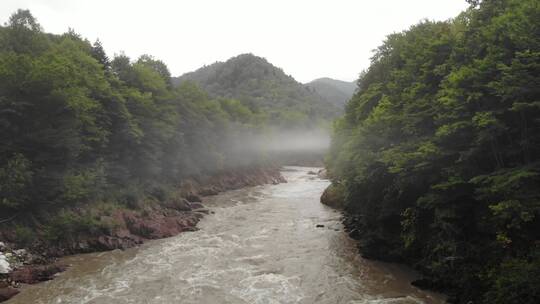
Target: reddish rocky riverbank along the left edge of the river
127	227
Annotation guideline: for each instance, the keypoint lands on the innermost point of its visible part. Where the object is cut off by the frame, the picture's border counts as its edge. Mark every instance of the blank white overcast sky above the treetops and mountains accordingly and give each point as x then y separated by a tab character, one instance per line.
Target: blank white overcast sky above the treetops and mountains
307	38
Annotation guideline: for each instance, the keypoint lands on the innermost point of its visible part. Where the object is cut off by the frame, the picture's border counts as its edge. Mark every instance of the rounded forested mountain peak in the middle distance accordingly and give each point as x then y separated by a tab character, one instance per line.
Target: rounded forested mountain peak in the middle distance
263	88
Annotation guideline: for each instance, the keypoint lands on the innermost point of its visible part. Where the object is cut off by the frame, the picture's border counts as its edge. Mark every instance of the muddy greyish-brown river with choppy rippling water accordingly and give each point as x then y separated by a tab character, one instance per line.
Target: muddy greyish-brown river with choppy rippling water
260	246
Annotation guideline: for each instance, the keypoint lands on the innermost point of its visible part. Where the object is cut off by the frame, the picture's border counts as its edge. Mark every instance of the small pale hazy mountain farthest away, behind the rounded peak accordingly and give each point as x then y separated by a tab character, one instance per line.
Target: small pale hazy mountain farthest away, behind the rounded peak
334	91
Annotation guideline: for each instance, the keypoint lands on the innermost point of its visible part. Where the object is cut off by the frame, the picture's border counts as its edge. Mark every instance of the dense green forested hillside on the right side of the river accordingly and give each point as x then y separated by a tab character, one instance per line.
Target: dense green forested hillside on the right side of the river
438	154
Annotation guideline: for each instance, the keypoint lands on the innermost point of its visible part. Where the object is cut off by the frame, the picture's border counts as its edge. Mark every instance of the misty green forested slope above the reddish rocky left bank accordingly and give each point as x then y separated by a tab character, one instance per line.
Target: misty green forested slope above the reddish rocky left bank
79	128
